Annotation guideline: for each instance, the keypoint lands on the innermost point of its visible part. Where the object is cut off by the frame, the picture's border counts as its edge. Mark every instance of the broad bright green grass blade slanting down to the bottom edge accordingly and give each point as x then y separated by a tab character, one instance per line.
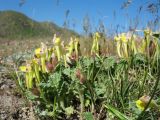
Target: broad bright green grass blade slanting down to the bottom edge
118	114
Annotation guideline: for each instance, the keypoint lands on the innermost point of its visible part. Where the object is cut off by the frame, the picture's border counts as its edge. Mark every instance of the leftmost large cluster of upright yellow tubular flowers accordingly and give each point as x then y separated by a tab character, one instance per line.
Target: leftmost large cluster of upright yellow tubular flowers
46	59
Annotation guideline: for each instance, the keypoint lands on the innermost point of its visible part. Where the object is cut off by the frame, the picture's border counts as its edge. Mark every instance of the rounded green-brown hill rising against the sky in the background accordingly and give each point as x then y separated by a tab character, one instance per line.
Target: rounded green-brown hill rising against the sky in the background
15	25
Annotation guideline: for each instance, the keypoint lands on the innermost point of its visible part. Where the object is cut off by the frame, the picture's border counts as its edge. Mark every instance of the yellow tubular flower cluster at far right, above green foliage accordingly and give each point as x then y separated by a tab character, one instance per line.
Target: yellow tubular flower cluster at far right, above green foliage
127	44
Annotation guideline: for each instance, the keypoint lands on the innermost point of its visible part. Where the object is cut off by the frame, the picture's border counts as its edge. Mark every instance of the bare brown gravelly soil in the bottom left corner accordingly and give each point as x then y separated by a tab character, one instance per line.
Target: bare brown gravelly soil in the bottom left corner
13	105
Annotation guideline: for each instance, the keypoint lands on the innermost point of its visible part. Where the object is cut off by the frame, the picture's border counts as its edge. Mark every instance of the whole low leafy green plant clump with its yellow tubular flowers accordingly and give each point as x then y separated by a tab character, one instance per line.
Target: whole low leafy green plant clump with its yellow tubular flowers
63	84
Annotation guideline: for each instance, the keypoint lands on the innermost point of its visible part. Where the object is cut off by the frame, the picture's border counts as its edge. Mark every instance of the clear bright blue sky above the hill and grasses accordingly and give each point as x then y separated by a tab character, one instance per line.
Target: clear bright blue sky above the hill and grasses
109	12
